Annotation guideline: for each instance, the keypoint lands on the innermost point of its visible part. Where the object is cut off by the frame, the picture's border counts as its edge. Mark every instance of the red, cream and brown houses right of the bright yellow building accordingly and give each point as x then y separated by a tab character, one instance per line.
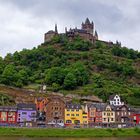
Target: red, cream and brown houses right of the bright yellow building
106	115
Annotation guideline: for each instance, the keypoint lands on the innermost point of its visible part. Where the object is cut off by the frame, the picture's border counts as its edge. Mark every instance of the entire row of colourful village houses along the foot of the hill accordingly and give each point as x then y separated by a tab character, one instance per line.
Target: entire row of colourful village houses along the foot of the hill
54	111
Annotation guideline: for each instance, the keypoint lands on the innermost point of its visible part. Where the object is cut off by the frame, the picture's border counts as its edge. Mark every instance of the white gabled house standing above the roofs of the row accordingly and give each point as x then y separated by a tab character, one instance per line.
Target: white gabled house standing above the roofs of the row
115	100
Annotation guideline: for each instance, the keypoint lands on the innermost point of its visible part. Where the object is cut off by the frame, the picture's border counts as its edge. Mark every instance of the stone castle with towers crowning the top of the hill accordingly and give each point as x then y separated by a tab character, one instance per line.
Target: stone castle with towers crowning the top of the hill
87	32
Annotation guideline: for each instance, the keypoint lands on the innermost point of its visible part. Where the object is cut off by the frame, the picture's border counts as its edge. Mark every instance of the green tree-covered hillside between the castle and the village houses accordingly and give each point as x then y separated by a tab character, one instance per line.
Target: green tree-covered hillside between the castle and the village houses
77	67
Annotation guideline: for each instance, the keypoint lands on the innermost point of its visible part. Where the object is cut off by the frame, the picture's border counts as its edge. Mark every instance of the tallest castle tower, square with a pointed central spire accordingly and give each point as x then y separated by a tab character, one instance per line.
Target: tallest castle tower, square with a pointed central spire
88	26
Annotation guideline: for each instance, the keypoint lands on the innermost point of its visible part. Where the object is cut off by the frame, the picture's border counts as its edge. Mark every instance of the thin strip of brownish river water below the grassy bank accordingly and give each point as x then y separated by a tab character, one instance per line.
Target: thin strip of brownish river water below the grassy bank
24	138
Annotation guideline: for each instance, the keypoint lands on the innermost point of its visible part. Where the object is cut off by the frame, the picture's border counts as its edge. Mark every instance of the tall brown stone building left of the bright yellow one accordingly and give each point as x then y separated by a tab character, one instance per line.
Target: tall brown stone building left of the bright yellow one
55	110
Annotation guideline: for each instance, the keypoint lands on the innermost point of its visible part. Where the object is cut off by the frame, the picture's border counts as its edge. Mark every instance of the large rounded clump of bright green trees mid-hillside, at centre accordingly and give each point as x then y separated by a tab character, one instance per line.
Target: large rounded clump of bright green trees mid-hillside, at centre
69	78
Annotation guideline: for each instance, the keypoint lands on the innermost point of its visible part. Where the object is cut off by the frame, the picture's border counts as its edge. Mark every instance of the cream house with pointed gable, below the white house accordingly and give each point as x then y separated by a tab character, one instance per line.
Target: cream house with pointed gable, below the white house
108	115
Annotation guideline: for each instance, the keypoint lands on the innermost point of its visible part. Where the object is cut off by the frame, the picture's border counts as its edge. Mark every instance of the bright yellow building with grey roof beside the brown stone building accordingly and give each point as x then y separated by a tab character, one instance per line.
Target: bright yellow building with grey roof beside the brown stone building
75	115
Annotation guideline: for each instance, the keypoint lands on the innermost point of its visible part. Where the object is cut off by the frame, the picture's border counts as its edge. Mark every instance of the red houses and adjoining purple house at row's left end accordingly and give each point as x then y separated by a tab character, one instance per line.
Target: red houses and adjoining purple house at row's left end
21	115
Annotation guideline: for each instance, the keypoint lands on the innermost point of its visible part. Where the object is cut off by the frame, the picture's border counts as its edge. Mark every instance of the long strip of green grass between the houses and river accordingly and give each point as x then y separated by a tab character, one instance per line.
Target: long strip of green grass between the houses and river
36	132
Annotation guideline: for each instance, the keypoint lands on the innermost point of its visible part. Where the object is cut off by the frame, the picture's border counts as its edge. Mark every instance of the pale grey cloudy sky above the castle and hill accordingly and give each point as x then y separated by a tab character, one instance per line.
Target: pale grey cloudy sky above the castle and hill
24	22
